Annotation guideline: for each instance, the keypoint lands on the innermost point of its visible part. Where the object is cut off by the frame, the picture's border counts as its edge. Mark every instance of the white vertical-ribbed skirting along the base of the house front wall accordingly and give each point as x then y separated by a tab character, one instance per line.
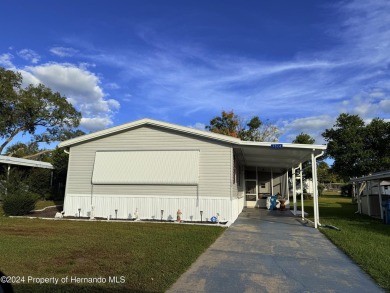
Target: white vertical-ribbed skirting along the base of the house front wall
150	207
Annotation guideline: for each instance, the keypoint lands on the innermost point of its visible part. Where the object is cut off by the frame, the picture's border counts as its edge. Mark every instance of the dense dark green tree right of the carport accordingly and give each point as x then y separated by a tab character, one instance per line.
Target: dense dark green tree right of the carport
358	149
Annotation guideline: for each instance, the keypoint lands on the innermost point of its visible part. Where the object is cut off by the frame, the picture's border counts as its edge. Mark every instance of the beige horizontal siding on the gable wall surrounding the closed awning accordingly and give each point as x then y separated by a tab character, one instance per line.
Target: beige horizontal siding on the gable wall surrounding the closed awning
214	162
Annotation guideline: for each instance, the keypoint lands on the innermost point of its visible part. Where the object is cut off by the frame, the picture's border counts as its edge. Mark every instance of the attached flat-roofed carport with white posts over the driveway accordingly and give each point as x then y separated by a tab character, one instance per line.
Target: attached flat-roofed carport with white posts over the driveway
284	158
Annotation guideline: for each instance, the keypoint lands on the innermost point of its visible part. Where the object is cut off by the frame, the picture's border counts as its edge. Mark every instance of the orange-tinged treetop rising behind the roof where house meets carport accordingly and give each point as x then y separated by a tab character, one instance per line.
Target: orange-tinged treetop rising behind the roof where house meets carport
255	130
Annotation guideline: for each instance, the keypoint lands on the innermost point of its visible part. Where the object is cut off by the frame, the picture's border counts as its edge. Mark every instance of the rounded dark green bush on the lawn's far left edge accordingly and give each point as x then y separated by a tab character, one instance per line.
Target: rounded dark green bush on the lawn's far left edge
19	203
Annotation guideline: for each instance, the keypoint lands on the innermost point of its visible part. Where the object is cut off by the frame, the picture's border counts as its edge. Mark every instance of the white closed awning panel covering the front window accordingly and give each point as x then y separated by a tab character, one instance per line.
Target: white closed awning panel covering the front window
146	167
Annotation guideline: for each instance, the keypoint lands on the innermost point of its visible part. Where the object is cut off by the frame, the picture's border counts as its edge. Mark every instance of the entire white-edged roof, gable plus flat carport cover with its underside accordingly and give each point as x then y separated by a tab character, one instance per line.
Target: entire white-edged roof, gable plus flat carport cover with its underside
264	154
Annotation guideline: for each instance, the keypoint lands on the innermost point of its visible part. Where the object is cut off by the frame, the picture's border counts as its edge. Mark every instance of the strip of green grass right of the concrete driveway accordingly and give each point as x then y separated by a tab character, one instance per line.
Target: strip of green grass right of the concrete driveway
366	240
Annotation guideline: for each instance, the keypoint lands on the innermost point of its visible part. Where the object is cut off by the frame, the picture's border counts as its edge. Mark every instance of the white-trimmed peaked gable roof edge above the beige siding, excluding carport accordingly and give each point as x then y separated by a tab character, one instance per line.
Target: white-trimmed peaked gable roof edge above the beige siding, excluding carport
151	122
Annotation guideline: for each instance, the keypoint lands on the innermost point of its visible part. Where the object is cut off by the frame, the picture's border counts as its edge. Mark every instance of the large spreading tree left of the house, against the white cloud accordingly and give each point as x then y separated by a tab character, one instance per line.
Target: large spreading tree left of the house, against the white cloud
35	110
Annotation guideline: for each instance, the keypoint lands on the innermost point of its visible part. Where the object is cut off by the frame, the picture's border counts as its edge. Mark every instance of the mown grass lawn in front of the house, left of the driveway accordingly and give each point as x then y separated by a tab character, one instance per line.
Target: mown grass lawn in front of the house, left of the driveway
144	257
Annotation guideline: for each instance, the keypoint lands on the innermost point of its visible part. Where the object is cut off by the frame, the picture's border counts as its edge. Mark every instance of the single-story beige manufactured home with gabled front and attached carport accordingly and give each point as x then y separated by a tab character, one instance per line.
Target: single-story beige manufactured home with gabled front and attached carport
153	169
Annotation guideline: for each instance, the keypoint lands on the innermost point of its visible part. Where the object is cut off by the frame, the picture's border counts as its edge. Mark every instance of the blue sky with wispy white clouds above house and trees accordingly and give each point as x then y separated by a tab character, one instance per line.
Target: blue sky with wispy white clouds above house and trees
297	63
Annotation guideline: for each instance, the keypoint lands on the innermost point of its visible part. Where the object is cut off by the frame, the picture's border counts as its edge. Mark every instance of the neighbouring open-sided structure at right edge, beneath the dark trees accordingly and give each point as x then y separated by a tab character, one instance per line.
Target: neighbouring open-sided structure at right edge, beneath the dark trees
371	192
